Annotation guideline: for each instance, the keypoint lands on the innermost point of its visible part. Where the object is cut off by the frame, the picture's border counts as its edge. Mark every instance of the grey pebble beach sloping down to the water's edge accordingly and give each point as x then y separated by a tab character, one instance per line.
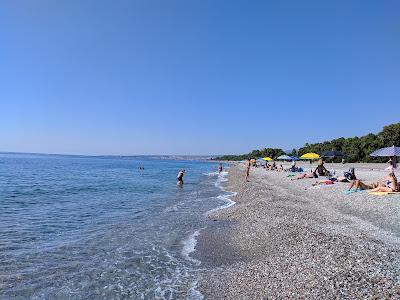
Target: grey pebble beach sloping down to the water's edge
286	239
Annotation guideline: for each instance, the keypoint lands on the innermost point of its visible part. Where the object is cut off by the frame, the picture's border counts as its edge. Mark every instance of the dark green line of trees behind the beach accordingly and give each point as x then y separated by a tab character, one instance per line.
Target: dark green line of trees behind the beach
356	149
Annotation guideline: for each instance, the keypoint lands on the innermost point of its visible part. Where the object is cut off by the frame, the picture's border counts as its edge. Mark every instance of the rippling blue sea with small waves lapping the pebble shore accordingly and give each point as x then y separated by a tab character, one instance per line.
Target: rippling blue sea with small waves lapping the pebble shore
100	227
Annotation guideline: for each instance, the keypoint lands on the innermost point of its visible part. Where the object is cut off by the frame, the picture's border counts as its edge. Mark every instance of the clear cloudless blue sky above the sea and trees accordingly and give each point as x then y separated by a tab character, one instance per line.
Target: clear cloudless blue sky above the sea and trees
194	76
